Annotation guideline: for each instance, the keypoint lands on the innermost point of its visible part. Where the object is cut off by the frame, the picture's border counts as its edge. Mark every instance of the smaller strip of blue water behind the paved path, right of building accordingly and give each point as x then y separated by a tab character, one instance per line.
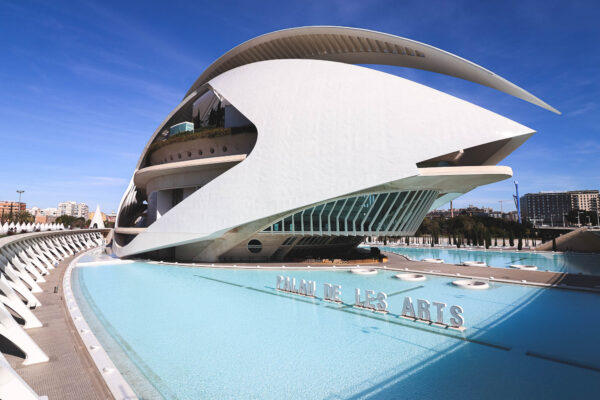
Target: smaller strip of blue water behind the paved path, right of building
588	264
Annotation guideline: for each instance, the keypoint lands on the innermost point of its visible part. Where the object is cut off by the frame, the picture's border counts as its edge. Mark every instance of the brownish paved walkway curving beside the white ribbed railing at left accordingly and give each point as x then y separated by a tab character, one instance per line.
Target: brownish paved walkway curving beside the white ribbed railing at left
70	373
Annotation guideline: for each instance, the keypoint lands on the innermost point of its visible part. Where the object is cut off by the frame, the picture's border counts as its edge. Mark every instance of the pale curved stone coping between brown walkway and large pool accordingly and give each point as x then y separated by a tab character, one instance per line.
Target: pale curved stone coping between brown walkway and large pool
111	375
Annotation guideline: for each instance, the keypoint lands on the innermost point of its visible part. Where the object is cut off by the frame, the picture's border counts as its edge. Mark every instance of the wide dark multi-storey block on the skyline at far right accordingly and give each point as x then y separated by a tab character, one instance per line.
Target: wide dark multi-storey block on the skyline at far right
551	207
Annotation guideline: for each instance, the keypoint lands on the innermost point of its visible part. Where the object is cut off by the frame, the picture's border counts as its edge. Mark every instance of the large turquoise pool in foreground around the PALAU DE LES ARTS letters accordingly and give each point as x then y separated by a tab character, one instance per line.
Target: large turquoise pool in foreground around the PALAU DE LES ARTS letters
206	333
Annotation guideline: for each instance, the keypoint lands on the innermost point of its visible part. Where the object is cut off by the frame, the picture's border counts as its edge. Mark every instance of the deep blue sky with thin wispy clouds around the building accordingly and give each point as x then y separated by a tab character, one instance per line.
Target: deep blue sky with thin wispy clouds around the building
84	84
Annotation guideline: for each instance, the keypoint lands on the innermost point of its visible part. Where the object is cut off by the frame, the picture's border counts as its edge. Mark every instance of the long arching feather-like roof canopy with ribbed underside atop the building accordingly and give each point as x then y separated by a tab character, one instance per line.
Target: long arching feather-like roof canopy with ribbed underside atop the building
359	46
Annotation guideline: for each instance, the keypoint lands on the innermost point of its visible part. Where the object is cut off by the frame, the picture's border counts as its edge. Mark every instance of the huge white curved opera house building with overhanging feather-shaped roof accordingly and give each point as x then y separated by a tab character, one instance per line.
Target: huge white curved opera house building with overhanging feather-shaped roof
285	149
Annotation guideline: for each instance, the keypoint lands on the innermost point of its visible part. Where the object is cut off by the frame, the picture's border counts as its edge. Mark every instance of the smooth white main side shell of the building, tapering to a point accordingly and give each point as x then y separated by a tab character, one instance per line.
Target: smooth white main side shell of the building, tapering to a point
327	130
